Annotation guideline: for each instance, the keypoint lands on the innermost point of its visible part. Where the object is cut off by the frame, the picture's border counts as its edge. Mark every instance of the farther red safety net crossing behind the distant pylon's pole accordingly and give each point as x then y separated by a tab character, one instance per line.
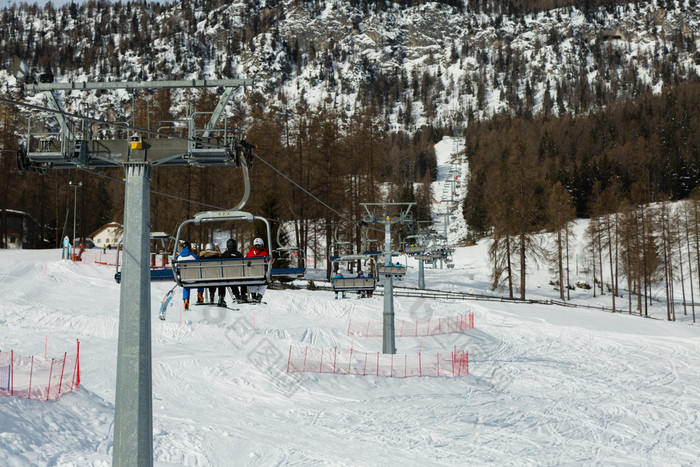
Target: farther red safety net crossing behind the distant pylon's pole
403	328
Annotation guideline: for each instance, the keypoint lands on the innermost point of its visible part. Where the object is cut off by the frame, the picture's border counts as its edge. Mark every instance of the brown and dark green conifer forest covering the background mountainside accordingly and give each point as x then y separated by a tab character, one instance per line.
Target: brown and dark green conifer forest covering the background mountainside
579	120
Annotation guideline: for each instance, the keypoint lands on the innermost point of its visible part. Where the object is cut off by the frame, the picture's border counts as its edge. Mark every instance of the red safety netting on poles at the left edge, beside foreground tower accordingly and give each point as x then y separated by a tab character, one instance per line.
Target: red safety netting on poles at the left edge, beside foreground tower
39	378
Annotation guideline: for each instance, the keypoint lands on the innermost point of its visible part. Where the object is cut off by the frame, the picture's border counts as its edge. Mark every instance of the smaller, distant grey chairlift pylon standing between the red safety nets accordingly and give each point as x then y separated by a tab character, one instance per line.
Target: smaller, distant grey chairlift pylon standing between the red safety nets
403	216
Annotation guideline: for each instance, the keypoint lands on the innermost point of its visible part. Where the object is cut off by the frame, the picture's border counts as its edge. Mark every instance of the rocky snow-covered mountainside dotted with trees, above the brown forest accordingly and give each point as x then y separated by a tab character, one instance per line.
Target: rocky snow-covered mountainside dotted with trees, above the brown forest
429	63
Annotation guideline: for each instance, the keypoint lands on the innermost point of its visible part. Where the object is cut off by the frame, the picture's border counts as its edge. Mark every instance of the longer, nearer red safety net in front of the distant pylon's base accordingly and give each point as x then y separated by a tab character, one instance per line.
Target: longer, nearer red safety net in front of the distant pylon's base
352	362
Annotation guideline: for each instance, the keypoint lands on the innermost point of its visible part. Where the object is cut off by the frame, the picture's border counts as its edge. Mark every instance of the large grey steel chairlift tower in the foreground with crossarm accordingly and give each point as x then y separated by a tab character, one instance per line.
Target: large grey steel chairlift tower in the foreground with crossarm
75	146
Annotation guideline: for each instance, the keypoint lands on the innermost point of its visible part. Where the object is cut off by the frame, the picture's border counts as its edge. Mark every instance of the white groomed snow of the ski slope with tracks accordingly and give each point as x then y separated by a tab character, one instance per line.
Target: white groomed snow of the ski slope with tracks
547	384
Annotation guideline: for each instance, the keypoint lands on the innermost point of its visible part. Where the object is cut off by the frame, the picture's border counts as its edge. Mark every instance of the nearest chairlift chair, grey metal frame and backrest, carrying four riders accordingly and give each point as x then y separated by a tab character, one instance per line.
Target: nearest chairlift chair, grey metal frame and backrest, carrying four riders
222	272
